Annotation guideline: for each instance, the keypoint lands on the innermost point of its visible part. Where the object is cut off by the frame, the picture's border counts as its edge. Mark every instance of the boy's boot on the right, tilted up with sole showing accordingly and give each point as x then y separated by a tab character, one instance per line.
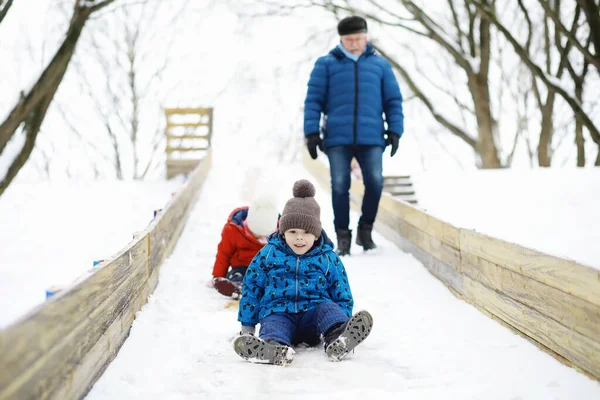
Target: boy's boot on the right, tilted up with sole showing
342	339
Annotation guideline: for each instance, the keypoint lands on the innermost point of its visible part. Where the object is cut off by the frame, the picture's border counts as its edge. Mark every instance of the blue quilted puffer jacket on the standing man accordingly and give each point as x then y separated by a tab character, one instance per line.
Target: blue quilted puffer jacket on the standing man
353	96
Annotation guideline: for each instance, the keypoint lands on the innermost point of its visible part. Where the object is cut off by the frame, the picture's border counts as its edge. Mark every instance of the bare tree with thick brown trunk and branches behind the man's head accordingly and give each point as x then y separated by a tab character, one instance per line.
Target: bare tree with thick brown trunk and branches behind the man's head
468	44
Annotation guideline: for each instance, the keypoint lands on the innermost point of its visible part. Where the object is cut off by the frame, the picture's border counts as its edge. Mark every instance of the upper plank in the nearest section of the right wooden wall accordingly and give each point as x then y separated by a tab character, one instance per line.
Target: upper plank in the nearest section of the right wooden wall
565	275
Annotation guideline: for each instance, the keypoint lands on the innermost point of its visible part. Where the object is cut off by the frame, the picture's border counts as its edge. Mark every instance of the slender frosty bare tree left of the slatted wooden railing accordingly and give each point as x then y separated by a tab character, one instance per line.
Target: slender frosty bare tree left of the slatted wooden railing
127	102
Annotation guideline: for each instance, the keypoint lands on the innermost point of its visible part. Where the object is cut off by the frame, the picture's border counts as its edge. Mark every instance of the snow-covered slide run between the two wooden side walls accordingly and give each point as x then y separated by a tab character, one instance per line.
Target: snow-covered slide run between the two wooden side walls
425	343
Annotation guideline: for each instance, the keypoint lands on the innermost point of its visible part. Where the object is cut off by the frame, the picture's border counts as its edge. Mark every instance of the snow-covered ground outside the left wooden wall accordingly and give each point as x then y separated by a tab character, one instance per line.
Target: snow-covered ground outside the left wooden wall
51	233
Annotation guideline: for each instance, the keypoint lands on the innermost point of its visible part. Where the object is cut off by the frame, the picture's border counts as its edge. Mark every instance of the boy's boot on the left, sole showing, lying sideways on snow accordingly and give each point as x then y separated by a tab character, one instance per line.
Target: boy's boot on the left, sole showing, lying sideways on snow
257	350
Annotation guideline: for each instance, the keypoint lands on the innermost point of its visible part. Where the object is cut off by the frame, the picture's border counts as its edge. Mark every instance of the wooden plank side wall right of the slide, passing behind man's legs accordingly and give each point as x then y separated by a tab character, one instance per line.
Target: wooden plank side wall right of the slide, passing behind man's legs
551	301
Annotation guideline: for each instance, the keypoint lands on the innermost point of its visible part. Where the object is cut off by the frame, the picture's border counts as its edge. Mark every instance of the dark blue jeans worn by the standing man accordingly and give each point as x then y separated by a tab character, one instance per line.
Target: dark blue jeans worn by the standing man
370	159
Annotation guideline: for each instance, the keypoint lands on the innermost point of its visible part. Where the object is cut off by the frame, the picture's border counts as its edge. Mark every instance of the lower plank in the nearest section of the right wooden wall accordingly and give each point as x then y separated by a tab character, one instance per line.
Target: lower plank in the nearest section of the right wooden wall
575	347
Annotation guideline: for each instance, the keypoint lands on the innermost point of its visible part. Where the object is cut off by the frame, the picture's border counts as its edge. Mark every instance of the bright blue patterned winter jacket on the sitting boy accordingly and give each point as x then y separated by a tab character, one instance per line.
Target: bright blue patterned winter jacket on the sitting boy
278	280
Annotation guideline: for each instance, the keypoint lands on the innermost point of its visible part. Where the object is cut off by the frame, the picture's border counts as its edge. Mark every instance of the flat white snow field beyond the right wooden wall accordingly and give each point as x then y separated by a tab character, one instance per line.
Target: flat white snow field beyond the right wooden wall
552	210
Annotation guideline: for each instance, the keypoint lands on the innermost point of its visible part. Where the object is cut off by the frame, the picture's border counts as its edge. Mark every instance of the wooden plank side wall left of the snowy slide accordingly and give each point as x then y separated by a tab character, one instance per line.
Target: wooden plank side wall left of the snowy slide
62	347
